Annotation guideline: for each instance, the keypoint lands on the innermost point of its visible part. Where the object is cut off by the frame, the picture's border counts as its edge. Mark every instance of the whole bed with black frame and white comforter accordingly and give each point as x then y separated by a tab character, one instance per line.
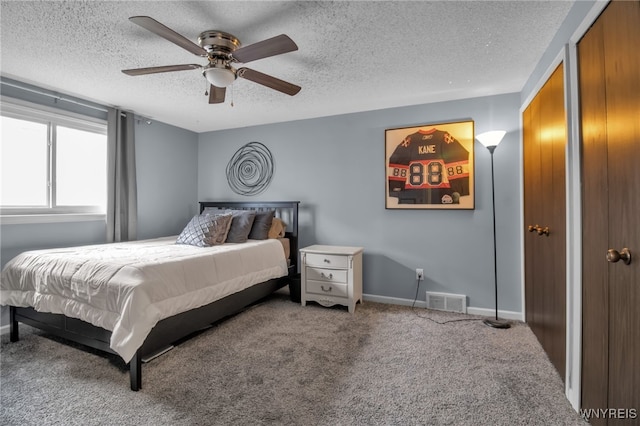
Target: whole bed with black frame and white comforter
133	321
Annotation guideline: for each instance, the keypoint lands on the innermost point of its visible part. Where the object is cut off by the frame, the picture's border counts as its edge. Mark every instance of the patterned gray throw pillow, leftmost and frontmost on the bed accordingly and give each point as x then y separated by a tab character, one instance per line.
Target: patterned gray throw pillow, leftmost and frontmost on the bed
206	230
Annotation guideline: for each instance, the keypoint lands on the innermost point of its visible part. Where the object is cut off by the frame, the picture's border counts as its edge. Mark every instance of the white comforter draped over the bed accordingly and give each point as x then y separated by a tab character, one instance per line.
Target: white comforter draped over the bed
128	287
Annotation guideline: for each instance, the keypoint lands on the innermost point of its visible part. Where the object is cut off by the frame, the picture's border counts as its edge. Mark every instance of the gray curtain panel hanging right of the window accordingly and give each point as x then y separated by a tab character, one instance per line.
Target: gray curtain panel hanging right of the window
122	199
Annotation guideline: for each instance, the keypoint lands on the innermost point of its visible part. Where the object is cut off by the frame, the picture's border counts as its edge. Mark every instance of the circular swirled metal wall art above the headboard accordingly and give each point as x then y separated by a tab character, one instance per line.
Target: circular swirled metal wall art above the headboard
250	170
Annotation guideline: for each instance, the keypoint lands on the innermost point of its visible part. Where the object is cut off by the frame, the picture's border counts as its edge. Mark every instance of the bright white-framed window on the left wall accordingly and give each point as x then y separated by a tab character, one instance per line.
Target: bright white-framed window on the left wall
51	162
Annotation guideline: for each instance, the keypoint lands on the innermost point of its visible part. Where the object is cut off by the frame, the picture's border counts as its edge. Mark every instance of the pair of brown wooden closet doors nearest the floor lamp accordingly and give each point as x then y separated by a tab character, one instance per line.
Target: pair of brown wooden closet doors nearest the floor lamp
544	137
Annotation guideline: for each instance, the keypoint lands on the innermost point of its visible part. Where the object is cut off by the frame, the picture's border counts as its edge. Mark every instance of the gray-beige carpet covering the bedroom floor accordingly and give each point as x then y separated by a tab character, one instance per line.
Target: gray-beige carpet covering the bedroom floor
281	363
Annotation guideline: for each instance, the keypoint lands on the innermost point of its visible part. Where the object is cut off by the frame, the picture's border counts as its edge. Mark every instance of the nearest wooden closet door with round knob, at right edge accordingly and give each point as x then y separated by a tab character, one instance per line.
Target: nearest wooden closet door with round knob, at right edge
609	84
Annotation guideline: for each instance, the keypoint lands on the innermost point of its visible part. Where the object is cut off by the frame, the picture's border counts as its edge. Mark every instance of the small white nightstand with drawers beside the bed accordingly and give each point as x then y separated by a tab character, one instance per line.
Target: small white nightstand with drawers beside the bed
331	275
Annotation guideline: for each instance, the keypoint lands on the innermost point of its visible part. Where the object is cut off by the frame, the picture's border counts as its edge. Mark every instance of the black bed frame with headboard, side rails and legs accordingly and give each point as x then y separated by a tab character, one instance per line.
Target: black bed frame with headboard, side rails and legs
175	328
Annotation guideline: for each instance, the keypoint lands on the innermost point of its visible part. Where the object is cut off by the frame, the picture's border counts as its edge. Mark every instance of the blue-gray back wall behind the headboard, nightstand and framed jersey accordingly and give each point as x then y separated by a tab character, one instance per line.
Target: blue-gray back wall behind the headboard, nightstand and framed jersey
336	167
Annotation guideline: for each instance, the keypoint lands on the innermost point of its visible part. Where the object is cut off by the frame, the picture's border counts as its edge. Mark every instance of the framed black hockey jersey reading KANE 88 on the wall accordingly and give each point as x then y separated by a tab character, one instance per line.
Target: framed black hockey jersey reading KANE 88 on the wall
430	166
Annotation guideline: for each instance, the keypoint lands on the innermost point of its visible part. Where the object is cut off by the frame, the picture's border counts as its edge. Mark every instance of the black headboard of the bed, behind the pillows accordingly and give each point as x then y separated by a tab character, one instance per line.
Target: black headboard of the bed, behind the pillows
287	211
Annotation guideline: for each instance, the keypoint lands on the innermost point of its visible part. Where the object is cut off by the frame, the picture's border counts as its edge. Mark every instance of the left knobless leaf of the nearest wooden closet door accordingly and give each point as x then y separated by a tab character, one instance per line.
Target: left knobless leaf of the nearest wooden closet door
595	220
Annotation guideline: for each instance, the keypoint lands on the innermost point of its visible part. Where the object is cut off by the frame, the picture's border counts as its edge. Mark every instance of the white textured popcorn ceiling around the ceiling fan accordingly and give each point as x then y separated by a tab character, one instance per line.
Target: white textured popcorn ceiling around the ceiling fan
353	55
